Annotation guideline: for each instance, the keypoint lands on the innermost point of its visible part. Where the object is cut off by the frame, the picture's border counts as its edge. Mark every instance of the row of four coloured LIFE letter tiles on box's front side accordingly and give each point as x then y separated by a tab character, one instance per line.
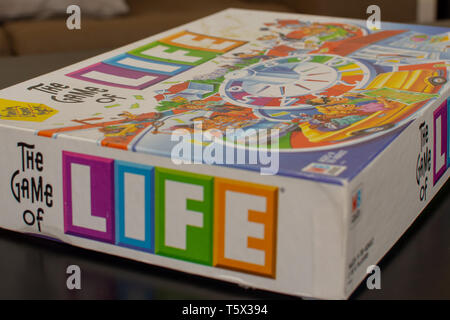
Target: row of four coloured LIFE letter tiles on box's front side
171	213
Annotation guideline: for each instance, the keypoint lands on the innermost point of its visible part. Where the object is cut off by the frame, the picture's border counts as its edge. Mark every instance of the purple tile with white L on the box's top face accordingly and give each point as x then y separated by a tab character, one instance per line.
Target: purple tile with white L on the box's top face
109	75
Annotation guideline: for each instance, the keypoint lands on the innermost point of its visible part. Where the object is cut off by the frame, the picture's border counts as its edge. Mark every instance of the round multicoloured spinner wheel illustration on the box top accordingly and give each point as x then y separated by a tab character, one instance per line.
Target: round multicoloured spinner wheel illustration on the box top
293	81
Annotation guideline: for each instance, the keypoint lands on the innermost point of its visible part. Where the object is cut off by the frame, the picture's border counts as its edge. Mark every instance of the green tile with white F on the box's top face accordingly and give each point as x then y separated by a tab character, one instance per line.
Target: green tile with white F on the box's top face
173	54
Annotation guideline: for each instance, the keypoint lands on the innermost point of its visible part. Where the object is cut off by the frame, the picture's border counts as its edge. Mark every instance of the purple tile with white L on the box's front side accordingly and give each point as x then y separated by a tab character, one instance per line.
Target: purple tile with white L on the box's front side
88	193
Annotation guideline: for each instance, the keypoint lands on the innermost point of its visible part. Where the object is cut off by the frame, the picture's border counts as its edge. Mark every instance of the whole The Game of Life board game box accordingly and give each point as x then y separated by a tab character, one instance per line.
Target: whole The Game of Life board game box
277	151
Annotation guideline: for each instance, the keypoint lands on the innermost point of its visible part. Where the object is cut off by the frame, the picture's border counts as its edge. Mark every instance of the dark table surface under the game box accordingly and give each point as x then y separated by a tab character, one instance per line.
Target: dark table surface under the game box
417	267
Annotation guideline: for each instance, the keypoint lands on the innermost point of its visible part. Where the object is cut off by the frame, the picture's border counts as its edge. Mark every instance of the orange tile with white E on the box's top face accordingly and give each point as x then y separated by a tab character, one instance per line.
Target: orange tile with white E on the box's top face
191	40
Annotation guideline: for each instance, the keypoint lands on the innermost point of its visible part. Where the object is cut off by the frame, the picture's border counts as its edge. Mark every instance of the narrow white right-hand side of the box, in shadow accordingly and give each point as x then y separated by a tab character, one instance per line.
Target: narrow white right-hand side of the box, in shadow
390	193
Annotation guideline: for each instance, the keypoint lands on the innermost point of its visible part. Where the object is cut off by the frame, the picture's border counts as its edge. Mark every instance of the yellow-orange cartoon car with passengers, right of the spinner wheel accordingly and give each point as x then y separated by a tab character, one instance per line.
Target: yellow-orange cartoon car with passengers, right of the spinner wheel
387	100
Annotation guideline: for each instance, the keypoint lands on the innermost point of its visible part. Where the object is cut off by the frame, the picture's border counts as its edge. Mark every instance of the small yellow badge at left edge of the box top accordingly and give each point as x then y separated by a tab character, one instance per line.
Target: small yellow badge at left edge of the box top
24	111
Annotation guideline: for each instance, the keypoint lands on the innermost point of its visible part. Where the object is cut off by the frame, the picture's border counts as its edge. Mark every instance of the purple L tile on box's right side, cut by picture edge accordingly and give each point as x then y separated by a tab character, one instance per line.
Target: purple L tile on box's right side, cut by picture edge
441	121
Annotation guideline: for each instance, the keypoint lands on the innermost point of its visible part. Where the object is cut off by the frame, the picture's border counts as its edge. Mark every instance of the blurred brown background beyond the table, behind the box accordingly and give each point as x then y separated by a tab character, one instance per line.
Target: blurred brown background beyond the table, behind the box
29	27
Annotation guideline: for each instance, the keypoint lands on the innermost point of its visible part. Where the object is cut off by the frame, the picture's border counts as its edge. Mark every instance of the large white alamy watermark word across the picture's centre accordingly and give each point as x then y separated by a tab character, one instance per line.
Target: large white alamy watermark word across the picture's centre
235	146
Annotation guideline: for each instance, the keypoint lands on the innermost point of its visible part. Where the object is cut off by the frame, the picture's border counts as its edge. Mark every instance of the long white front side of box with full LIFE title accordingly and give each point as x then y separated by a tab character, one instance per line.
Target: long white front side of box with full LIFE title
268	232
